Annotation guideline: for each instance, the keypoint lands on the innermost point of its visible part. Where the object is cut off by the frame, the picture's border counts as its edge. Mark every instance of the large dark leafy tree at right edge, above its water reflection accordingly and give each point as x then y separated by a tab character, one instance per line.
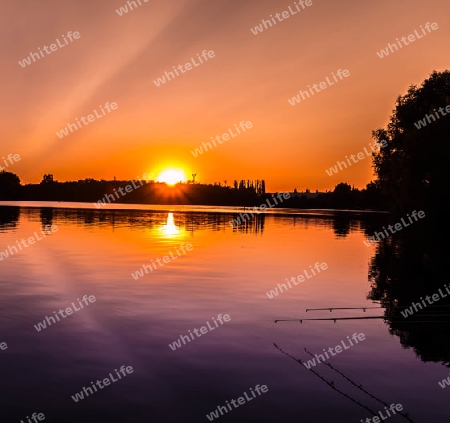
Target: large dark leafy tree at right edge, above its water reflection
410	169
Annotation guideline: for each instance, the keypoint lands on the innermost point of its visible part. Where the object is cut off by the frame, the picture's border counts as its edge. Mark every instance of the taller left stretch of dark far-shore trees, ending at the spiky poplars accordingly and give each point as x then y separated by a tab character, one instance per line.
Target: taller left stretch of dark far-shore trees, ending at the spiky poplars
247	193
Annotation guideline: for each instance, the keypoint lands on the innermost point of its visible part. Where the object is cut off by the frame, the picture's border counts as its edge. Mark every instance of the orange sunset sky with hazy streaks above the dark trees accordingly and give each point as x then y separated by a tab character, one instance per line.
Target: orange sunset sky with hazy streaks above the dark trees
250	78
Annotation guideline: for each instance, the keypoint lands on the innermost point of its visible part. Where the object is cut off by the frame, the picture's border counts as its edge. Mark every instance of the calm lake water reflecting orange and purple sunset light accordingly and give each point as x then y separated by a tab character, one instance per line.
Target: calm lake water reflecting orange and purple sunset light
135	320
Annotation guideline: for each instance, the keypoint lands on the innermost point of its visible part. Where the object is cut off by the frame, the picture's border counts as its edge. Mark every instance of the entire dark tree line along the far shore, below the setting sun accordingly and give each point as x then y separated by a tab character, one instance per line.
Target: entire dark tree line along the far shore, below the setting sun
242	193
